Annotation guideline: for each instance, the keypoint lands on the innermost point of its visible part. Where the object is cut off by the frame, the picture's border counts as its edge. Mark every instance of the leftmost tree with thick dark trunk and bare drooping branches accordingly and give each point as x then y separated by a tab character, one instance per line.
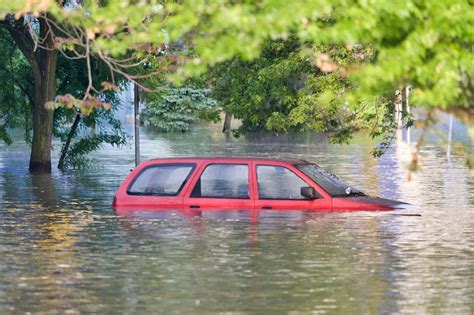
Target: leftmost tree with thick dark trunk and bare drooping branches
41	36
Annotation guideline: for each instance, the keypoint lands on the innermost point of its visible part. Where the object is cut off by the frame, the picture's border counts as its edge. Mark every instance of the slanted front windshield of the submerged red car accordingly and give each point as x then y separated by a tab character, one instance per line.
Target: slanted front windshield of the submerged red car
329	182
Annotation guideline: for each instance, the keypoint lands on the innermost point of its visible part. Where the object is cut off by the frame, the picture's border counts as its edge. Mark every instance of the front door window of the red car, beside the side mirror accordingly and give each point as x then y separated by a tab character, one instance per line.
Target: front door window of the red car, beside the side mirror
277	182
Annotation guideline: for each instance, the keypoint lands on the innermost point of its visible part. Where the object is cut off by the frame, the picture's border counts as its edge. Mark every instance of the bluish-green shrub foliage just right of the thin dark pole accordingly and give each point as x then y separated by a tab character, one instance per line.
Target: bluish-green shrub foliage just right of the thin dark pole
176	108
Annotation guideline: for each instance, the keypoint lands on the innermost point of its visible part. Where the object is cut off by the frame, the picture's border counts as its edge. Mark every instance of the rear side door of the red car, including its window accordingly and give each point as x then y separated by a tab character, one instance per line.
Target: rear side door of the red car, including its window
220	185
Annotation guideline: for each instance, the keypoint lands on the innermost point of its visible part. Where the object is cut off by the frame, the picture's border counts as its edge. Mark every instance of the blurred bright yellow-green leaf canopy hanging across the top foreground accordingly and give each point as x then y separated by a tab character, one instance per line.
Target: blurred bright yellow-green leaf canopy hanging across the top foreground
424	43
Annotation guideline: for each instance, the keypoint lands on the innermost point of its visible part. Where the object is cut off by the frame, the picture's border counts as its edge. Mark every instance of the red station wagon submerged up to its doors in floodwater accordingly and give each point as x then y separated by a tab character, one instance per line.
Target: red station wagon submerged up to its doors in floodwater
241	184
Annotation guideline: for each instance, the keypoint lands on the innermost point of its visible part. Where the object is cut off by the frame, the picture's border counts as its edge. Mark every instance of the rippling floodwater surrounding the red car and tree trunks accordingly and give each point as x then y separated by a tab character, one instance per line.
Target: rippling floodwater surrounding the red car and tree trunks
64	250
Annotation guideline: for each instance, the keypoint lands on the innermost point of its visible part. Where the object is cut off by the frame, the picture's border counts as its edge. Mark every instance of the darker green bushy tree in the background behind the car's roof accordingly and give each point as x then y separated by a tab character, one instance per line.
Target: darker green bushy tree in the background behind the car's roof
279	91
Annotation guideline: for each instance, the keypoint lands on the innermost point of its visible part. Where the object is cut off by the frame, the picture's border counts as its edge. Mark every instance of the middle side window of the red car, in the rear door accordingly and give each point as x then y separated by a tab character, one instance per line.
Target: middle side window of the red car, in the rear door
223	181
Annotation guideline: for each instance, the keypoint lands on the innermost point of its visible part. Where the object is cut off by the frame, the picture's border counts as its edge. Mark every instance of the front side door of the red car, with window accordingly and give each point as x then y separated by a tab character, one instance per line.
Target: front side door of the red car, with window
278	187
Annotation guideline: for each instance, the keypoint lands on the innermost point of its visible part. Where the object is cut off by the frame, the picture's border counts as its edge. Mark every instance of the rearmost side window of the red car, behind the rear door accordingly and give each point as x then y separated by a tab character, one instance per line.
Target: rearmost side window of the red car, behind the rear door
161	180
